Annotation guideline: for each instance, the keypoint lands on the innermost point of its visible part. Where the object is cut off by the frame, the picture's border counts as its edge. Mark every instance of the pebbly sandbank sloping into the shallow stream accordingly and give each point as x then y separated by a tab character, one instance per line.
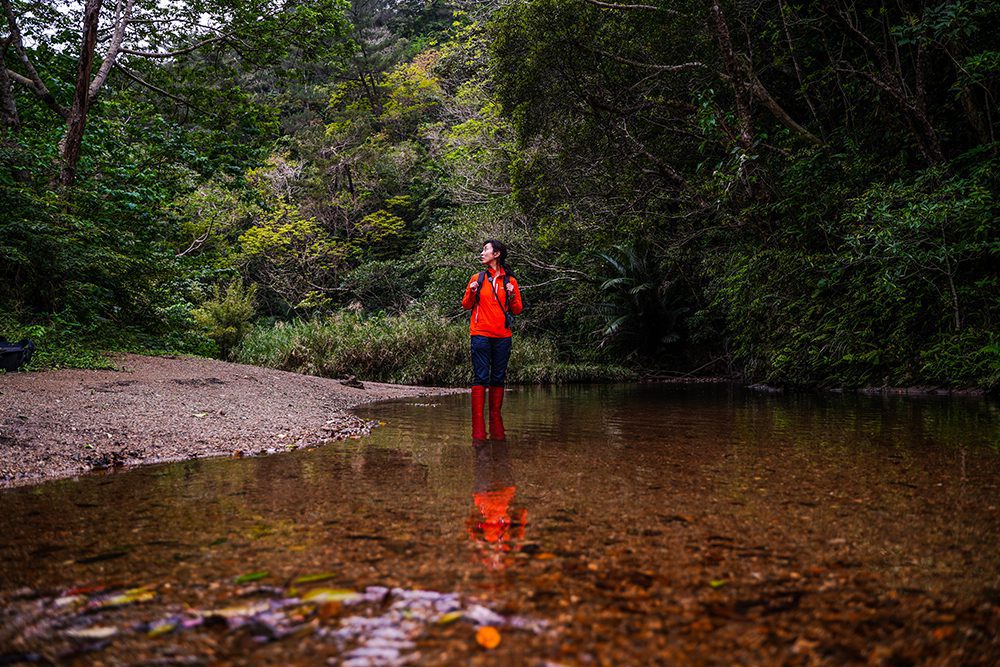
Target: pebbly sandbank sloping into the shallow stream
153	409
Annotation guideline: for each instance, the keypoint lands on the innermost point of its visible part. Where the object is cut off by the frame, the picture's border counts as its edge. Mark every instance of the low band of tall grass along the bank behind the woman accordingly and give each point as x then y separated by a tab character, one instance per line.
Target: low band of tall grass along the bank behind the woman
416	347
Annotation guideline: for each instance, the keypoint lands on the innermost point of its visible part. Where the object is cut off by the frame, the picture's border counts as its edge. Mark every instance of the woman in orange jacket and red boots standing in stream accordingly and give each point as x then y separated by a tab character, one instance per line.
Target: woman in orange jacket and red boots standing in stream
494	298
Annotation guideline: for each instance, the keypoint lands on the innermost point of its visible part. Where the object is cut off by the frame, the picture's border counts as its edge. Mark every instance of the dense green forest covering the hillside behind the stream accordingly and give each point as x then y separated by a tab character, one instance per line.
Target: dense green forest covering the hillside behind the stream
794	193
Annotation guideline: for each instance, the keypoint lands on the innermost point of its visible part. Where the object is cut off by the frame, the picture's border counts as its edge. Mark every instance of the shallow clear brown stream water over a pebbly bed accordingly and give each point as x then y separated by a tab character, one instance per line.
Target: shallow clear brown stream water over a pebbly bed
621	524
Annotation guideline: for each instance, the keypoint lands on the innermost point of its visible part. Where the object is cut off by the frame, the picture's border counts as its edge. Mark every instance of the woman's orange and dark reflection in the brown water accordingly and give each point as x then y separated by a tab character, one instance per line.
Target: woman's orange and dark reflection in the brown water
496	530
